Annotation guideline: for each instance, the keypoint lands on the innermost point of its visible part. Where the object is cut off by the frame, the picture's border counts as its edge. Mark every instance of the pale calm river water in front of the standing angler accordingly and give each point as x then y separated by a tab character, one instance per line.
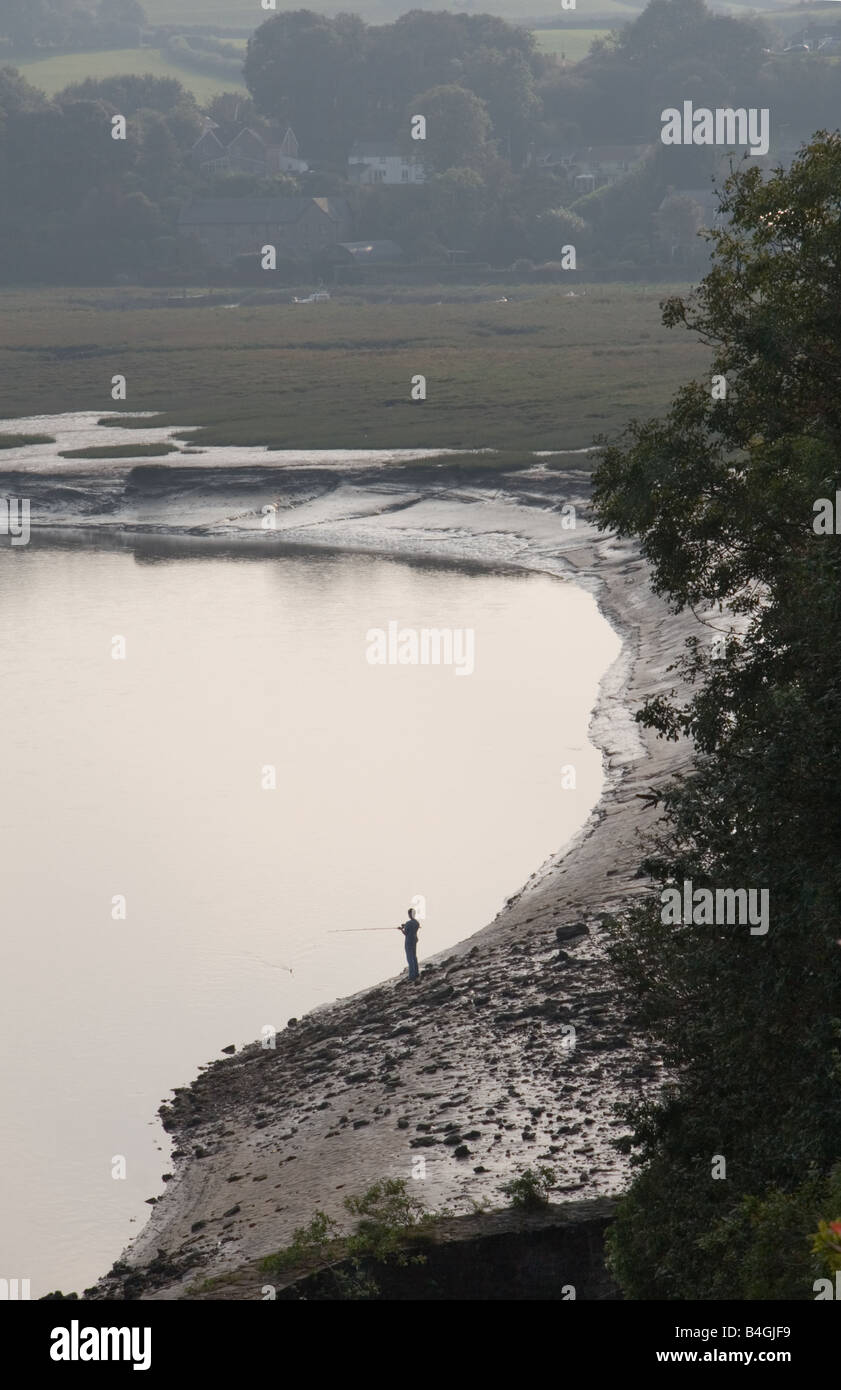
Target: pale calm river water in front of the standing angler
205	778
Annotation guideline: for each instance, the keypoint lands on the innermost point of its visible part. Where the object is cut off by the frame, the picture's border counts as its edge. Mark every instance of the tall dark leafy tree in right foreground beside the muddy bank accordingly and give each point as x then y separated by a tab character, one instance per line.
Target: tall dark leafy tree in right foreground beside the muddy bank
721	494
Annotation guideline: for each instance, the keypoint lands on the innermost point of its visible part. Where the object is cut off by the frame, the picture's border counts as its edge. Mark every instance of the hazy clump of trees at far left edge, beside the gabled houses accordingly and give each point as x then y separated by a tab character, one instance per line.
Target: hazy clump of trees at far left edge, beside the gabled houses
77	204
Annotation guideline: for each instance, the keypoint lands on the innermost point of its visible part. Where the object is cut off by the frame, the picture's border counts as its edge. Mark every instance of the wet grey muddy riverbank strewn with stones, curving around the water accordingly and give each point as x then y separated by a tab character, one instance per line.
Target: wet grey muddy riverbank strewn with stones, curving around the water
514	1049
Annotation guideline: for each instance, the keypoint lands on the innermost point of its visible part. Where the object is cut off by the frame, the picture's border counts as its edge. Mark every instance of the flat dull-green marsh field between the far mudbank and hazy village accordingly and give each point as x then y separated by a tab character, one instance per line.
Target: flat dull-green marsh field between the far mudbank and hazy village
541	372
